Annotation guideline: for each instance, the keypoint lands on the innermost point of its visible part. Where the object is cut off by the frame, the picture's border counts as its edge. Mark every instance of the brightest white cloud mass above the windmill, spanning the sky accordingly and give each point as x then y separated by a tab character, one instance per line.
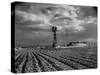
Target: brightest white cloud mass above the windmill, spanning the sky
72	12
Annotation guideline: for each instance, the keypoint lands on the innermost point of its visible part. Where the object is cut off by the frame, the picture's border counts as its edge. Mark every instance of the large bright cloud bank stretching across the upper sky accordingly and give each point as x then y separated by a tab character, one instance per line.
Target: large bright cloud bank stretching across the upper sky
68	18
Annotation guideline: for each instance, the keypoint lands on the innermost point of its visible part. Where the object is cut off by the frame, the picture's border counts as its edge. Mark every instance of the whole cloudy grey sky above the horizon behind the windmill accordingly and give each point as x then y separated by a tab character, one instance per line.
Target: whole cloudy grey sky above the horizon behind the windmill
33	22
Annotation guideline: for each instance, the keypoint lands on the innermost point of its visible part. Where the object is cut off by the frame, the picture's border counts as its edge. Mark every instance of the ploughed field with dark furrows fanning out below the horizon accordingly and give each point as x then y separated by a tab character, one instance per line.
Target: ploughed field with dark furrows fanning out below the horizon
44	60
